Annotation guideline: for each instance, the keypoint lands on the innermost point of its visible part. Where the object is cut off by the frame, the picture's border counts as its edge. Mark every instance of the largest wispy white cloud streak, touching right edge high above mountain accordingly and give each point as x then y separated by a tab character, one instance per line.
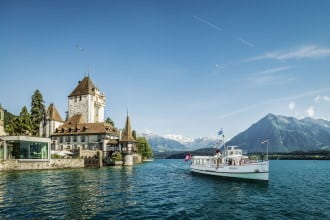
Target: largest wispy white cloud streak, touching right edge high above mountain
310	51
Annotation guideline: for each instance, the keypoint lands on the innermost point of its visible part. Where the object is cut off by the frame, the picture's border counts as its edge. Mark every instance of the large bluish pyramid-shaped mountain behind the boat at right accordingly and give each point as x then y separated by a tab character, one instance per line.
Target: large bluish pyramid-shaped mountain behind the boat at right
285	134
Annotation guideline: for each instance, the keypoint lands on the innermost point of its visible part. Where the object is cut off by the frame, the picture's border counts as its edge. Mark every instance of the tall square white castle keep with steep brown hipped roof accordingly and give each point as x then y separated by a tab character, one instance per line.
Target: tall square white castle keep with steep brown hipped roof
87	100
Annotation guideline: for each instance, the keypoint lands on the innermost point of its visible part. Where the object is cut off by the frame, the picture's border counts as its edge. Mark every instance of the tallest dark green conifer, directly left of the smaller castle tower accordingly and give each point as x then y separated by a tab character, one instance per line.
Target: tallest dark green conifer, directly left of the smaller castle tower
38	111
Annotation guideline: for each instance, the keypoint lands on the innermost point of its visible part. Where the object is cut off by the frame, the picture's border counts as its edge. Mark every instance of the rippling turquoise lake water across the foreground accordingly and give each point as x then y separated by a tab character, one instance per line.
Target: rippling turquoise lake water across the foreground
165	189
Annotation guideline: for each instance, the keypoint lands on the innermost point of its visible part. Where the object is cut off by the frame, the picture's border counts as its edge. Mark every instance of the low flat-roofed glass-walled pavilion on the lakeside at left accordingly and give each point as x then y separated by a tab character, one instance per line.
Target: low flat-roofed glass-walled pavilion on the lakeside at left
24	148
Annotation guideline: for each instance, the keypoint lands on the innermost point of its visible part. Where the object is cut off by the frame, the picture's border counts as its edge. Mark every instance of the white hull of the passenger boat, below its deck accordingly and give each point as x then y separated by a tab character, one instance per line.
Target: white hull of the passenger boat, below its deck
253	171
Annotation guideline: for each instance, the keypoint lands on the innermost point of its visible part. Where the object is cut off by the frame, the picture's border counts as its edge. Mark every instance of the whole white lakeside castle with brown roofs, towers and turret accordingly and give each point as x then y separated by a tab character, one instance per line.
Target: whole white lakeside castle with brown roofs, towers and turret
85	128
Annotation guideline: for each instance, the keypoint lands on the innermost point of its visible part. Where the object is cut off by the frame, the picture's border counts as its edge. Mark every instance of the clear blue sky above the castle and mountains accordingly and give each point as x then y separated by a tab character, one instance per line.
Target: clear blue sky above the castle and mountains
184	67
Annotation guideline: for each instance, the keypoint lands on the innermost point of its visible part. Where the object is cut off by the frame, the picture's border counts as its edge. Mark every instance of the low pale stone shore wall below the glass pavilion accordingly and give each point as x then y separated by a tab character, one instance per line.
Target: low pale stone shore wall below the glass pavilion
11	165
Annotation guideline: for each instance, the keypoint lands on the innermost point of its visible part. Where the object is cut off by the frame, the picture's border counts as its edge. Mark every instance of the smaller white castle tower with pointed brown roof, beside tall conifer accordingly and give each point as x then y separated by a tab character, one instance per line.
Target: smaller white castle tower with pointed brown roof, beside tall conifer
53	121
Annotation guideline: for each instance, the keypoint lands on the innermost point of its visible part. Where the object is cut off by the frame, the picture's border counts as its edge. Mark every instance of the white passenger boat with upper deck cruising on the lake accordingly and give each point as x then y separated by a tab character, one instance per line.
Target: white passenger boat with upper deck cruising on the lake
232	163
